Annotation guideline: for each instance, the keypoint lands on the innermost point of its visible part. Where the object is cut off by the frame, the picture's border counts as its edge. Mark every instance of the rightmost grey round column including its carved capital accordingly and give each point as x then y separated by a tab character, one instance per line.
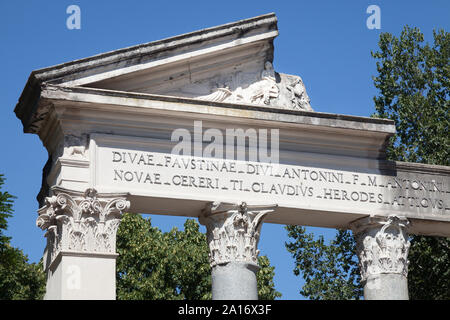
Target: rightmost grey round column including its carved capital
382	247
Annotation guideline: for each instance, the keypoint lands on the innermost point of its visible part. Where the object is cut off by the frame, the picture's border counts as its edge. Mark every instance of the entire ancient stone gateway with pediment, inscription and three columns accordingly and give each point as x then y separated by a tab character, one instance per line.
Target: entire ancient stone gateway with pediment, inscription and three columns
148	129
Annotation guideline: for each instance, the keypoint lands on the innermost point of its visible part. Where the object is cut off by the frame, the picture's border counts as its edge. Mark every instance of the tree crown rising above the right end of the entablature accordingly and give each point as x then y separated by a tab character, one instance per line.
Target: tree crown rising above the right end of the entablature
413	80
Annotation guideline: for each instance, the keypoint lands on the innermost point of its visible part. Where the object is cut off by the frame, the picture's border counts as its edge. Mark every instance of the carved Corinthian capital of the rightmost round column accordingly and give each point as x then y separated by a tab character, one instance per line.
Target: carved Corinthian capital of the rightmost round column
382	245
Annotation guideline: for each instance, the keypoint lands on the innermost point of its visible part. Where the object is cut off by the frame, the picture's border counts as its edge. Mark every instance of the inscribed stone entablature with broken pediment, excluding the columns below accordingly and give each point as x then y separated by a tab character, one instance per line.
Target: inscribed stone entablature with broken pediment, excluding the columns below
132	100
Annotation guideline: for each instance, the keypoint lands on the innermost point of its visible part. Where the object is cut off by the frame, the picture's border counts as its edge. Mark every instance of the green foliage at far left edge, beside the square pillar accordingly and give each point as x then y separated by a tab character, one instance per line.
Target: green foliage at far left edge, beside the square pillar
18	278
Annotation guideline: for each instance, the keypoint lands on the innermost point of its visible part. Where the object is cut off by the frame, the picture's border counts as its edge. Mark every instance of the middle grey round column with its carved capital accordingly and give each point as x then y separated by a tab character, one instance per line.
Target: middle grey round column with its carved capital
233	233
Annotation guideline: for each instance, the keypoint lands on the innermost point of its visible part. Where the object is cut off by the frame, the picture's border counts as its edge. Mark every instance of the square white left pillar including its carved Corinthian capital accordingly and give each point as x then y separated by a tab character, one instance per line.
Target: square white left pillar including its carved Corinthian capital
81	243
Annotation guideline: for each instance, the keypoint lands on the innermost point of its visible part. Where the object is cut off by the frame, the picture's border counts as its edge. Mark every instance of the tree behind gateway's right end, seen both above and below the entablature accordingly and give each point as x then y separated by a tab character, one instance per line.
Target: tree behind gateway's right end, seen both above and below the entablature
414	90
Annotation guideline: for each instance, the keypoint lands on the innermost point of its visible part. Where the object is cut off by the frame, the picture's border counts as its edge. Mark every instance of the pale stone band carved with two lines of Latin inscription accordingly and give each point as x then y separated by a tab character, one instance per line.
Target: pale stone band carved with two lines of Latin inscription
287	181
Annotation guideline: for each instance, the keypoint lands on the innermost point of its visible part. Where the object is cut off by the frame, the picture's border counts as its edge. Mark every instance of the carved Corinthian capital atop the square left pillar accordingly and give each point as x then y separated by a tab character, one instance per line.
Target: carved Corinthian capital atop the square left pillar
80	222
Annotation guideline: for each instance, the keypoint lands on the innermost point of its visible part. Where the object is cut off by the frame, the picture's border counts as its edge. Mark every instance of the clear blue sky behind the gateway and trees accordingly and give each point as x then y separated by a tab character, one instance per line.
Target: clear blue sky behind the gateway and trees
327	43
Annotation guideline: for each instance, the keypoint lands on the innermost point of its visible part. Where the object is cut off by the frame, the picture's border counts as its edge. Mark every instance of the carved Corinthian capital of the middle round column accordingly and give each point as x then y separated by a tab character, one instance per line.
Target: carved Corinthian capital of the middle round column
233	231
